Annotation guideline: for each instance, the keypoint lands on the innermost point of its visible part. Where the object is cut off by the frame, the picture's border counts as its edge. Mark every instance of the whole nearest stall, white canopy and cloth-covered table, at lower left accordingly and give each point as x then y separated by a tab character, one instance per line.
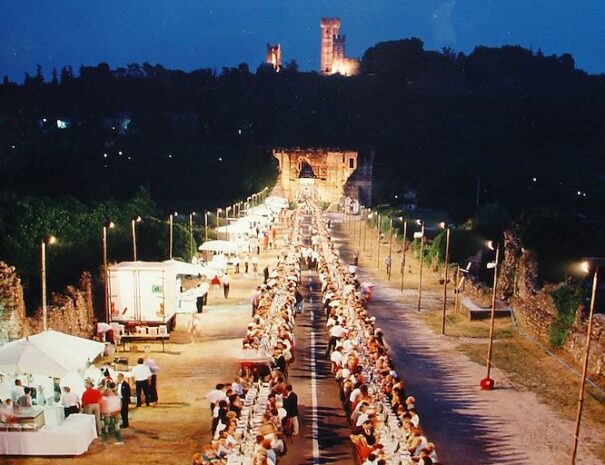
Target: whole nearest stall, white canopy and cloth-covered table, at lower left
43	362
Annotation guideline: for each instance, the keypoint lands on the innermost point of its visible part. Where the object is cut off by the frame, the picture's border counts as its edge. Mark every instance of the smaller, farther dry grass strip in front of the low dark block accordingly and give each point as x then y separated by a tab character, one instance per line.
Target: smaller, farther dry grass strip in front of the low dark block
459	325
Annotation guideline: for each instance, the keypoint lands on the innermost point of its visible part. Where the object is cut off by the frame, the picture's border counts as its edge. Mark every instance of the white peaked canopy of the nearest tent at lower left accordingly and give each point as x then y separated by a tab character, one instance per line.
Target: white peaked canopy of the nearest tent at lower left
50	354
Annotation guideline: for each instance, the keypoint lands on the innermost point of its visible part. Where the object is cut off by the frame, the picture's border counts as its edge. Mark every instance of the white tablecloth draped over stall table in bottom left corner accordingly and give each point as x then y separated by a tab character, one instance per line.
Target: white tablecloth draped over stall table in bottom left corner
73	437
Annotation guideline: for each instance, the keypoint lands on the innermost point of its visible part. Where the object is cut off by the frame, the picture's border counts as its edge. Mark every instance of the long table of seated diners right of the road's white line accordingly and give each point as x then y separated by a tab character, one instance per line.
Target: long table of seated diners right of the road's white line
385	425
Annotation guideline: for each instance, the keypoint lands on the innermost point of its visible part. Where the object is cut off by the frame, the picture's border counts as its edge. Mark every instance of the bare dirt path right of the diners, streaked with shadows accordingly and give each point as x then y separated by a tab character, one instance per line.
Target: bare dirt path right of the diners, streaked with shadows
503	427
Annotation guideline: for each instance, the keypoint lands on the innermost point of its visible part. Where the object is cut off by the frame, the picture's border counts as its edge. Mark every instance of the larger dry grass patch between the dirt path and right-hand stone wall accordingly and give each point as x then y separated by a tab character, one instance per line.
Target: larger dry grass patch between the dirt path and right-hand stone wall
554	384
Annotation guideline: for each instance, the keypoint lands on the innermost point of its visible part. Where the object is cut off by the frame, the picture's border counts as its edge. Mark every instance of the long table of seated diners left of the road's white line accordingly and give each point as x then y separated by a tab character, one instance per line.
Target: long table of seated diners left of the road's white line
254	412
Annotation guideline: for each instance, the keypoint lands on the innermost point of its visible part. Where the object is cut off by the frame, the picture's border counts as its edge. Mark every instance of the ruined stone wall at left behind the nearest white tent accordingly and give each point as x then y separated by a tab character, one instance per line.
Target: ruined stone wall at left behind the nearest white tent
70	312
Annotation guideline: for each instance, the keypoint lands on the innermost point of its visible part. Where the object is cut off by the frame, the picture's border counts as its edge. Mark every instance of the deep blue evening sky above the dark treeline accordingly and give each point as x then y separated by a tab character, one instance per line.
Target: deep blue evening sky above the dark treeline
192	34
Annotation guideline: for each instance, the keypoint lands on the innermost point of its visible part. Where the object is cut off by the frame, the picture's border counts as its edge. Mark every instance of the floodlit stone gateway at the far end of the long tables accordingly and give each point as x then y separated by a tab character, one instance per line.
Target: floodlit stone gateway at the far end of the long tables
325	175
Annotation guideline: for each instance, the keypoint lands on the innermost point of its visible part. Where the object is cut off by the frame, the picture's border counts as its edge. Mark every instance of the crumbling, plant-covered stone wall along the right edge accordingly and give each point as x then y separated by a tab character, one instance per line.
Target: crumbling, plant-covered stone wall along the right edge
534	307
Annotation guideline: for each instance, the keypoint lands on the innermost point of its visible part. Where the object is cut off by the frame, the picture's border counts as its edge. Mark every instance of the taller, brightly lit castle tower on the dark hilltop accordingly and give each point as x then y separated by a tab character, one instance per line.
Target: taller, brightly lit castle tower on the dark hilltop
333	58
